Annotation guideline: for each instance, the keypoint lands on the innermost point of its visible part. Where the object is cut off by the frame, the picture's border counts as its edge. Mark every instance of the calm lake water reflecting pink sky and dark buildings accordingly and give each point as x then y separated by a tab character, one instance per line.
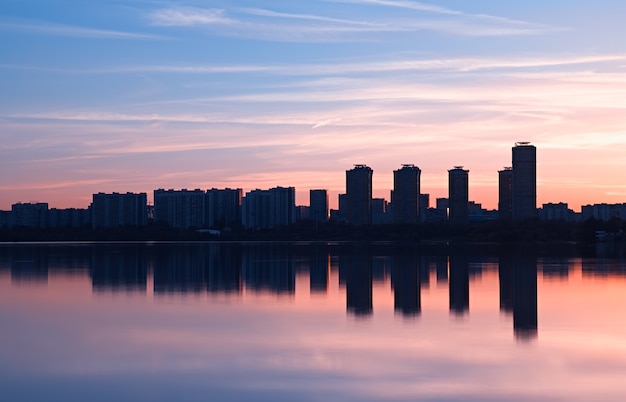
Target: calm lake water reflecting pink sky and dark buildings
276	322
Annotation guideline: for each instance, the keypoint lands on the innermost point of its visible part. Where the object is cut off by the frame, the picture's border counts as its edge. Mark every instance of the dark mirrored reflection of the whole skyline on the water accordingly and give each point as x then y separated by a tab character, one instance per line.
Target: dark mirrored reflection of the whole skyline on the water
210	268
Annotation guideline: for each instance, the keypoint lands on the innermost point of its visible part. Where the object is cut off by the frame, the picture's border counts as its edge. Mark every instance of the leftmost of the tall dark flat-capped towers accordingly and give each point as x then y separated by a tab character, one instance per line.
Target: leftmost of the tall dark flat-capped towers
359	195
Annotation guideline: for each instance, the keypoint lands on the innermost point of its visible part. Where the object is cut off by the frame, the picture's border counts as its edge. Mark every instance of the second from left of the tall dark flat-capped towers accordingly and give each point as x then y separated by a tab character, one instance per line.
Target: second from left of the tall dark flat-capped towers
406	194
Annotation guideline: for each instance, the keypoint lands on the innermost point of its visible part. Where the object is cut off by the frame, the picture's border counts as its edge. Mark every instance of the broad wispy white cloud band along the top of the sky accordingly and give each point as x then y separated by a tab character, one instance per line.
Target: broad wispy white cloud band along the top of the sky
289	26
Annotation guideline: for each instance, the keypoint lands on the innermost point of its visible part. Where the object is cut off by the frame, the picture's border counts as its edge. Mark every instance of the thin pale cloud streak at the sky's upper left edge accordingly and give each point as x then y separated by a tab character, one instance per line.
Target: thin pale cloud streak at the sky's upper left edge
47	28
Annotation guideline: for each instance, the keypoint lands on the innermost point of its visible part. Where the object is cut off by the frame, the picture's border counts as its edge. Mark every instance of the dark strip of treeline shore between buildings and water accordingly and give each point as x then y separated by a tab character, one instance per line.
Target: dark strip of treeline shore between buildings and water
498	231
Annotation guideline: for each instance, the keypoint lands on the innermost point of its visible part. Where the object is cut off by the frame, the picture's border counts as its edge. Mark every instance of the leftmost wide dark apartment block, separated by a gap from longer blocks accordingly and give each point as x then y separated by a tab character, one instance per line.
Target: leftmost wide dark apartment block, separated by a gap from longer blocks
111	210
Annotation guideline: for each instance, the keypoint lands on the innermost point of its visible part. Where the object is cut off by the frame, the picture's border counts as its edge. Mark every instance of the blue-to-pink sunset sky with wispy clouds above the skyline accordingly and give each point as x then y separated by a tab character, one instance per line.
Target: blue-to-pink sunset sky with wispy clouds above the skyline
136	95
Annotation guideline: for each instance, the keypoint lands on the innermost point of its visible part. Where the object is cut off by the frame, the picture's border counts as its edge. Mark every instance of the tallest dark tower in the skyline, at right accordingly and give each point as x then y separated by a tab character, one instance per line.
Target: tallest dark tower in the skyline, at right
524	187
